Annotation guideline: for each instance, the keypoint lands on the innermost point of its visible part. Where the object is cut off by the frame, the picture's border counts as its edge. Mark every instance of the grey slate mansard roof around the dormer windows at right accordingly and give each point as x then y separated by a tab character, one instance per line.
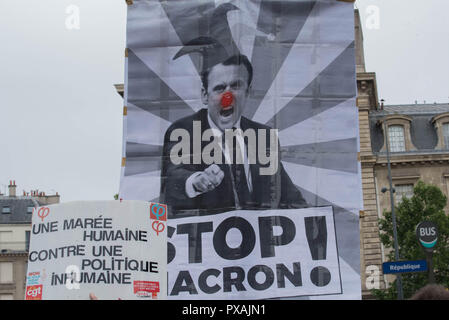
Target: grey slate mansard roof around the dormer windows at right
423	133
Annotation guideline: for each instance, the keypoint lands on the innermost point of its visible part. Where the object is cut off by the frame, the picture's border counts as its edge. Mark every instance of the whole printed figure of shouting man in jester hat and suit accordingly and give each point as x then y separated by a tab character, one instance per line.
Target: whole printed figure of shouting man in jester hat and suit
245	171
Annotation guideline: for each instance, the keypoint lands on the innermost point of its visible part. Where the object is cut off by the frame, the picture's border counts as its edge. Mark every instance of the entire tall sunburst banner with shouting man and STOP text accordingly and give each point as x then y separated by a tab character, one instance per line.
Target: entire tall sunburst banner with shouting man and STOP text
246	110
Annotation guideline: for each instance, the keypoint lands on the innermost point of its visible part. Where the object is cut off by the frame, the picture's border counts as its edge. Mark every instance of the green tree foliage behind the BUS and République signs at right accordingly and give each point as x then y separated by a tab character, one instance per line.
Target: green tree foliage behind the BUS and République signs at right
426	204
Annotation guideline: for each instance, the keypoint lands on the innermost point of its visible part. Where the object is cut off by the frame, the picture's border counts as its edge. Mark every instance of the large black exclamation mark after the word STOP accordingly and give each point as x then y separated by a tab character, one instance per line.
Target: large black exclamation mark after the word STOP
316	233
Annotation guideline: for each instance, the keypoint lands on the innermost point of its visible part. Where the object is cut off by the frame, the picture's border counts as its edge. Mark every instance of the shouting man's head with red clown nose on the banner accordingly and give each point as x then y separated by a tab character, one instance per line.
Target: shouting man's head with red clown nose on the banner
232	78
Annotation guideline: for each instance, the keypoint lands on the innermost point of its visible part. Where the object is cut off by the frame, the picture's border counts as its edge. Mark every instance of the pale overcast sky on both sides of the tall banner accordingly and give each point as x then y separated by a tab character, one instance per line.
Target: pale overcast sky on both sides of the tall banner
61	119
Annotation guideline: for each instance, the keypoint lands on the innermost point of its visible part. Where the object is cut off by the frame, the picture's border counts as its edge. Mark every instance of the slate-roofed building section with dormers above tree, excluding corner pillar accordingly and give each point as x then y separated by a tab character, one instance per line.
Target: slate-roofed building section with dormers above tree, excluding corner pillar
419	150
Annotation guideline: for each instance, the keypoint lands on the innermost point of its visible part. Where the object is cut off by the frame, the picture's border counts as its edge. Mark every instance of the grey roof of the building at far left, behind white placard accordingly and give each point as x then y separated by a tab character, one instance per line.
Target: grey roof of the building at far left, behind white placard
18	207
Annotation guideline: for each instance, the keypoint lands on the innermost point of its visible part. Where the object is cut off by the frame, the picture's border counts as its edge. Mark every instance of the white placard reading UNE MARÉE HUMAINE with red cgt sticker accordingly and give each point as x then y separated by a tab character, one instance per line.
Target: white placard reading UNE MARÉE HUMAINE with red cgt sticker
113	249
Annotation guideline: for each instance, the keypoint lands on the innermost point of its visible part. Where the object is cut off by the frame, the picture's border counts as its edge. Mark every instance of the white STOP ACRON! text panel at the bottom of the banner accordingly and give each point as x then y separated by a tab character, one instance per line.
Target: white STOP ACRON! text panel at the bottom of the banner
271	254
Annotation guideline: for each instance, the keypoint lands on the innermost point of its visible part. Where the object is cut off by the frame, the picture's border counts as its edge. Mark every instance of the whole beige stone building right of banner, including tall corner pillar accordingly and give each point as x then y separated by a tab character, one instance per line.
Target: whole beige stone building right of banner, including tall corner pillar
419	150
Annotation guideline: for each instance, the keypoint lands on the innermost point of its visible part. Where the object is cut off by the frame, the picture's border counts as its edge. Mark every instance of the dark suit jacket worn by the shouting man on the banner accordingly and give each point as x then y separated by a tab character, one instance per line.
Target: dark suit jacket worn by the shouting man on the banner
269	191
